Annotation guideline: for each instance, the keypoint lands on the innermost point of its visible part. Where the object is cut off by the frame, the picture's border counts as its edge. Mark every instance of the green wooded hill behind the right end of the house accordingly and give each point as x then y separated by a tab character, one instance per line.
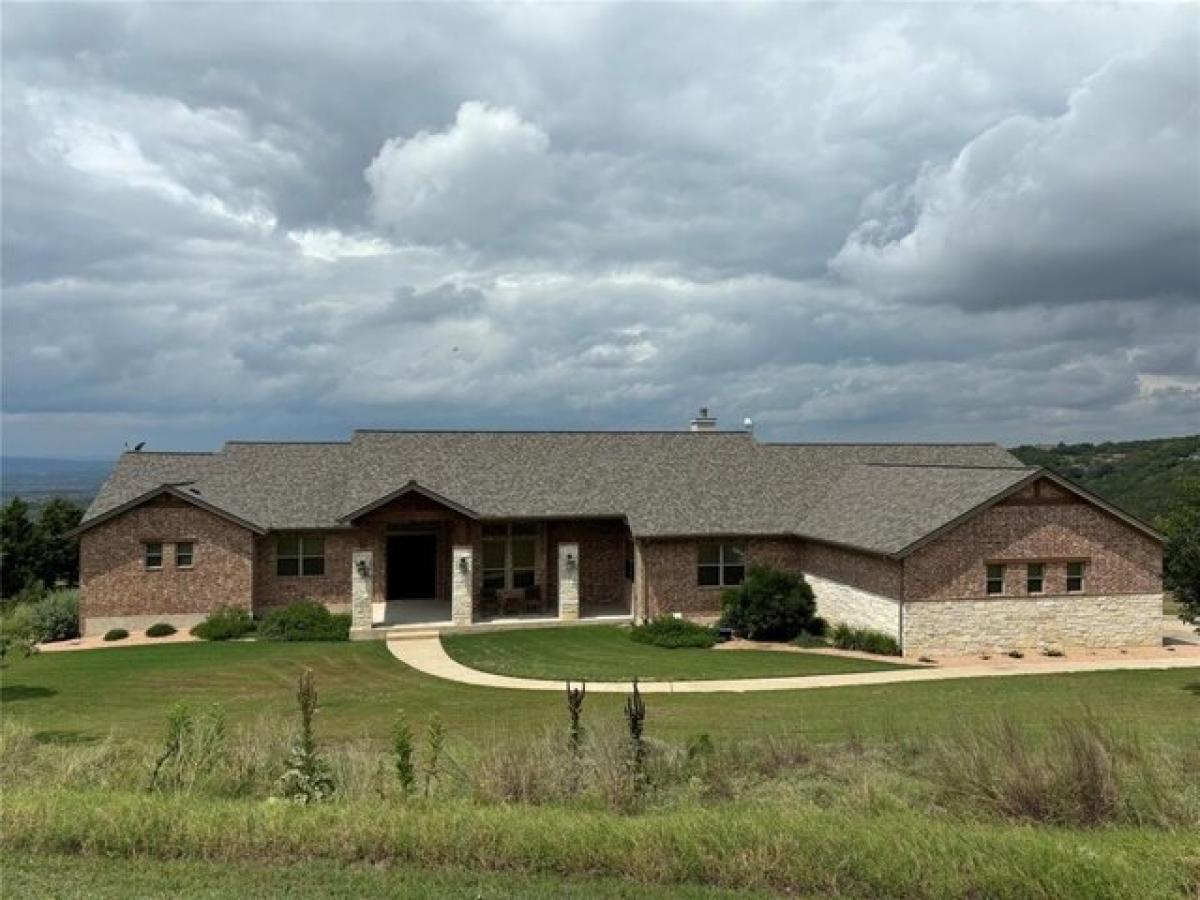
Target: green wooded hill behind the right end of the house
1142	477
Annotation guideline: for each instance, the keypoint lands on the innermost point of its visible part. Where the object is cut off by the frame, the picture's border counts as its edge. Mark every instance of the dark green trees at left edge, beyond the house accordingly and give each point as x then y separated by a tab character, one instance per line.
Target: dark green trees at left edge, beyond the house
35	550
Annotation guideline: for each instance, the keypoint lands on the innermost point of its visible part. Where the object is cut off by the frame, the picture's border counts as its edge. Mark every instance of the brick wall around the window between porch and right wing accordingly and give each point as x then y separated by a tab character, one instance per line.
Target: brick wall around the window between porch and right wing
671	573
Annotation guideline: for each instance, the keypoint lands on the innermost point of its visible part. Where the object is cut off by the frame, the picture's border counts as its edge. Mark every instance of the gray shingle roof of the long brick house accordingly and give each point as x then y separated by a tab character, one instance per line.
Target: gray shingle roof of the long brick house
664	483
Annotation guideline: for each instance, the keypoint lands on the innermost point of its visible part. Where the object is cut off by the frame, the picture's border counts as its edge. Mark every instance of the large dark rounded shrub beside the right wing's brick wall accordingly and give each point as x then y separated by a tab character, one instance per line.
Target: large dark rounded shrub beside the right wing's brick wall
770	605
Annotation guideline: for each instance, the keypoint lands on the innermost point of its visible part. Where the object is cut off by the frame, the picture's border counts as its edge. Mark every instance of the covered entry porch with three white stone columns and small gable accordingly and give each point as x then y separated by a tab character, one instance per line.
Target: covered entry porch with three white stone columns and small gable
425	562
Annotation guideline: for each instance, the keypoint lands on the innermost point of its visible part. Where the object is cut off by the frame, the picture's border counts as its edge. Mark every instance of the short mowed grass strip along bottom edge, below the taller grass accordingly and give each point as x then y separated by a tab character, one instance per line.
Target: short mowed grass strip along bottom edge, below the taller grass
57	877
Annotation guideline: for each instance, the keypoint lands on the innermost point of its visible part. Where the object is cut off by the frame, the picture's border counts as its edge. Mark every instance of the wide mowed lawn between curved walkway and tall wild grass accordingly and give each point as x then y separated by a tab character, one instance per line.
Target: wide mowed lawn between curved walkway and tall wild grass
85	697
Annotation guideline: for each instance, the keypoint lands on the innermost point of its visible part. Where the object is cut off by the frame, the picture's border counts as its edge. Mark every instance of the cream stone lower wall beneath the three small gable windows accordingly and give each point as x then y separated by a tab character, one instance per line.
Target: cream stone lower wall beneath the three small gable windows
976	626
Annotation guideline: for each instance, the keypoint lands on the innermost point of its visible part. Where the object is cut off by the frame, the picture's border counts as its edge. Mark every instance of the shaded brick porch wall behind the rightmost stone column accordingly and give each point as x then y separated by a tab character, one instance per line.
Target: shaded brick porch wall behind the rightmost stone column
604	548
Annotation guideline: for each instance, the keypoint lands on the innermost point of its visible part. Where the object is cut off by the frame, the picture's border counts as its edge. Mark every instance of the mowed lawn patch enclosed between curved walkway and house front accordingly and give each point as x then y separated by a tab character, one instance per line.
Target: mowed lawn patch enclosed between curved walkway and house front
607	653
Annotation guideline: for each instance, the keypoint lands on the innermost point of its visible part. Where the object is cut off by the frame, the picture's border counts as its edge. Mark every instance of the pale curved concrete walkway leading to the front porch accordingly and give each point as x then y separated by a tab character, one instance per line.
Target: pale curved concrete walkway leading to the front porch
428	656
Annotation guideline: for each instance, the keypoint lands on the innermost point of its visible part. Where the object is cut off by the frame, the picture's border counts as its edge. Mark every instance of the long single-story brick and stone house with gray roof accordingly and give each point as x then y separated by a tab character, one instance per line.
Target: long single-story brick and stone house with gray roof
947	548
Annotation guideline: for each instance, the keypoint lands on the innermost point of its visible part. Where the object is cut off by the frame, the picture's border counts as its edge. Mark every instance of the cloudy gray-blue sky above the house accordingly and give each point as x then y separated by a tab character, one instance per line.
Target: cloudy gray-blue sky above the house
892	223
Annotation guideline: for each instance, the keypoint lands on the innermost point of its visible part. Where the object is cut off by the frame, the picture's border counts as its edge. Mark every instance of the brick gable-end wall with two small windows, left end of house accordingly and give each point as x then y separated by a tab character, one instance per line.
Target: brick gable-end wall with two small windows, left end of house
117	589
